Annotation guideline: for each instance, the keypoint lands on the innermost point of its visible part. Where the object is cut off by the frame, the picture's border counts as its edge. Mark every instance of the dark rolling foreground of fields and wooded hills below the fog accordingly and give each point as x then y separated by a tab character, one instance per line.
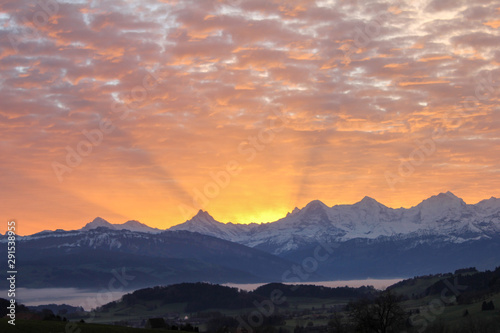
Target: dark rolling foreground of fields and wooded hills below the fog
309	309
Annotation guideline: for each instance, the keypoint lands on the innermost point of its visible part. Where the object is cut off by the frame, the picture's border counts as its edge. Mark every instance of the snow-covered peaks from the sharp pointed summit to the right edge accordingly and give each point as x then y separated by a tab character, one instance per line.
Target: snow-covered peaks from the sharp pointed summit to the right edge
441	215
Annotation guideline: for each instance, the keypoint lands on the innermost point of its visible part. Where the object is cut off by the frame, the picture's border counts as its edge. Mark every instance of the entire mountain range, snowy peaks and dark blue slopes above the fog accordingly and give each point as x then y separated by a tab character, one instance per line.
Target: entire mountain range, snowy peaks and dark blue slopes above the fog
363	240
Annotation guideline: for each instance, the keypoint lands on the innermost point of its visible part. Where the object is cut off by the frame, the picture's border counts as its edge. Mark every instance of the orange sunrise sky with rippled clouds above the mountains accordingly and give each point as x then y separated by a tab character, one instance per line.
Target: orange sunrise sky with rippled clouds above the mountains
153	110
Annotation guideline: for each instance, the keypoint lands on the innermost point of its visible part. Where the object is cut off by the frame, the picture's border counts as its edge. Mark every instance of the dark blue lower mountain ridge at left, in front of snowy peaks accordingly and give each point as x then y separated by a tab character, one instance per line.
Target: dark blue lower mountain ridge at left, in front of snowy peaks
149	259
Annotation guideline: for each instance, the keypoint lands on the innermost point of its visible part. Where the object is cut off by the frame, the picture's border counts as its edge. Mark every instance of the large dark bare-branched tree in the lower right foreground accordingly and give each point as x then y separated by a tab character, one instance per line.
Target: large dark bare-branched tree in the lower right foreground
382	315
